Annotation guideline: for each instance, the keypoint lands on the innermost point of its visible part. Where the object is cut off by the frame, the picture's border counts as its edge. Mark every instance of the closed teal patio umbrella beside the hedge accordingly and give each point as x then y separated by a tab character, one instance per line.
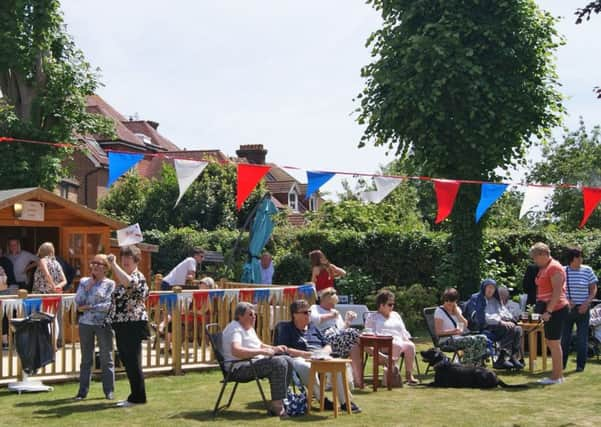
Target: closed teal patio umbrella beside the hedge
260	230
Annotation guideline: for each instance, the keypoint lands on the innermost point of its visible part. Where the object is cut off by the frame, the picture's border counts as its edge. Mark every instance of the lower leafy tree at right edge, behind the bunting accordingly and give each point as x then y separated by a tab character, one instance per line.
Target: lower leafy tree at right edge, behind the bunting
575	159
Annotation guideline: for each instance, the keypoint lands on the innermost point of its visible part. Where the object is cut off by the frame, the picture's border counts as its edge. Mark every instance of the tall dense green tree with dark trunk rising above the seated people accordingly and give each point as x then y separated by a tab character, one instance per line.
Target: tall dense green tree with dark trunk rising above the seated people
463	86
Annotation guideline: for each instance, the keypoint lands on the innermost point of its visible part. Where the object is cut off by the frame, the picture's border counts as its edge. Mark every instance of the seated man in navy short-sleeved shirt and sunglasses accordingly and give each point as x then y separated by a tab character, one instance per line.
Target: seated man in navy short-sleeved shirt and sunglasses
305	341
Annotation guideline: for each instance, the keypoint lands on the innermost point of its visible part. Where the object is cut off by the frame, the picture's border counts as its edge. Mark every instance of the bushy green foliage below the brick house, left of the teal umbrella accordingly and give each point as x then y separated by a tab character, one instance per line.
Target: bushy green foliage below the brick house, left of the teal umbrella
208	204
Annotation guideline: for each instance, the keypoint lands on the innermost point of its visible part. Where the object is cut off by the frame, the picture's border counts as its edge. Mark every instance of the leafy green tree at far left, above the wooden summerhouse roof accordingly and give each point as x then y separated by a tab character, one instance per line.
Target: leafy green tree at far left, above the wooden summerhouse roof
44	81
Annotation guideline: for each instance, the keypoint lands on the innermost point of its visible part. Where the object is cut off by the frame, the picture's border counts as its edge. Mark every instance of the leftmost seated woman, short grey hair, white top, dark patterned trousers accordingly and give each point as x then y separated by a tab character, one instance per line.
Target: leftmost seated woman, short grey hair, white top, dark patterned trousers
240	341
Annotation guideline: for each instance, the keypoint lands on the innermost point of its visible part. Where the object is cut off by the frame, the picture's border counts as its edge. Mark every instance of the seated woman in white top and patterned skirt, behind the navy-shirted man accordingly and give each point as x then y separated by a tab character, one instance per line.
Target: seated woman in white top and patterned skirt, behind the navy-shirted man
343	339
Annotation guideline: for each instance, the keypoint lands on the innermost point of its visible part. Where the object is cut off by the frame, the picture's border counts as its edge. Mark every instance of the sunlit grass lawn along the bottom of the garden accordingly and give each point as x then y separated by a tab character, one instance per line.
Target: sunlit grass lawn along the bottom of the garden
189	399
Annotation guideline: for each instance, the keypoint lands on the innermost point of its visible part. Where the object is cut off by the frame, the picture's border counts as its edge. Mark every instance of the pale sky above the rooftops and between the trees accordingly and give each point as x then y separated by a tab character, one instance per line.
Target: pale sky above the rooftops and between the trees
282	73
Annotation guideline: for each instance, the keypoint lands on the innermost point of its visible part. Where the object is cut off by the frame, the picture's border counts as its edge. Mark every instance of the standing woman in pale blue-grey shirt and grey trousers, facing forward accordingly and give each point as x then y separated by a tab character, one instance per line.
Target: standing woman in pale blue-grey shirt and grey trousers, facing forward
93	301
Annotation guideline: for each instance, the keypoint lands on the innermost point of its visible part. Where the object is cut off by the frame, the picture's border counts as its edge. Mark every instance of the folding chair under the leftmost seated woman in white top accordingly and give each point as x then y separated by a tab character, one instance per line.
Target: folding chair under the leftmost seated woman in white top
215	336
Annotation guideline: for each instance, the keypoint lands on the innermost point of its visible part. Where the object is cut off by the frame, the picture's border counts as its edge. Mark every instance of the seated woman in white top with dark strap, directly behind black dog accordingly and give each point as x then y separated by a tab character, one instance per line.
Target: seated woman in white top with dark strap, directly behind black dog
449	326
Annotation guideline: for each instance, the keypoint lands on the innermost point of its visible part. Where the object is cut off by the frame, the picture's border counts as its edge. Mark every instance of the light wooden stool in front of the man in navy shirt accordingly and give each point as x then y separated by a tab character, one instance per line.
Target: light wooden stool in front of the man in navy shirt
334	367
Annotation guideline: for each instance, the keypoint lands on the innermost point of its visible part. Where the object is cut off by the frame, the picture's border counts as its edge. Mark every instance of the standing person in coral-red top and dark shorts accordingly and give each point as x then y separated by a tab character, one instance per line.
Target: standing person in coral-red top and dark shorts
551	290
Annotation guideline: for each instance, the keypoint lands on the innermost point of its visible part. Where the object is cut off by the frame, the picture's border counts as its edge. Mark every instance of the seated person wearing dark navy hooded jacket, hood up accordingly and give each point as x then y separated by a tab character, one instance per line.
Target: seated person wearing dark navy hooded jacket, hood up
490	316
